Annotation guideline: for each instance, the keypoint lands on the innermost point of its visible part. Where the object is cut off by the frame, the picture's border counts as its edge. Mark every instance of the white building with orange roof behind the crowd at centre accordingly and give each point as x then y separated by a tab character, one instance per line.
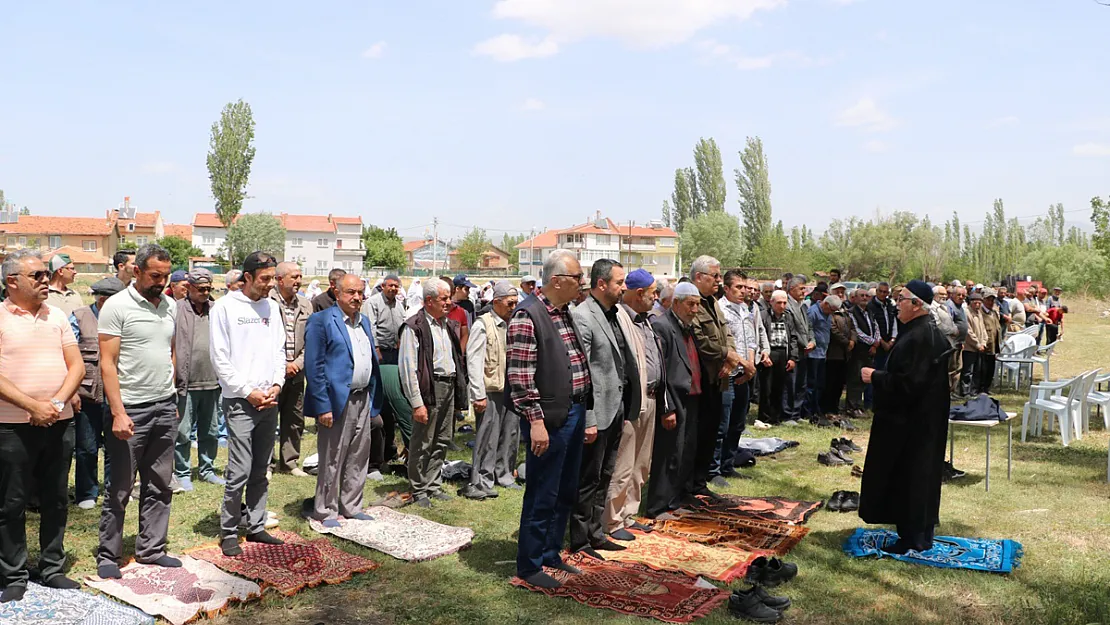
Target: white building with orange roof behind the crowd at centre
653	248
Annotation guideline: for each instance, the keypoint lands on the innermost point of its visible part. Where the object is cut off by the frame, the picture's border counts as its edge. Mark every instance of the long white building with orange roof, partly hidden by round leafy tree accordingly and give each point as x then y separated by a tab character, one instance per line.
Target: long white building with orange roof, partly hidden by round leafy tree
318	244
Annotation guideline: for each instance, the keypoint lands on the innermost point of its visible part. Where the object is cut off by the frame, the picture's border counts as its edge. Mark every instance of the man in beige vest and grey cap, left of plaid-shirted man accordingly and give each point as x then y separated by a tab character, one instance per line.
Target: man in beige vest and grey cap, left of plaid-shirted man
498	430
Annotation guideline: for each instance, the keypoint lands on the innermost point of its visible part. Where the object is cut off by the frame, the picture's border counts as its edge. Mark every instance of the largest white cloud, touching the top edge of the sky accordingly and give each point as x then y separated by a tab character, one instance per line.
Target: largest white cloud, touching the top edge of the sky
641	24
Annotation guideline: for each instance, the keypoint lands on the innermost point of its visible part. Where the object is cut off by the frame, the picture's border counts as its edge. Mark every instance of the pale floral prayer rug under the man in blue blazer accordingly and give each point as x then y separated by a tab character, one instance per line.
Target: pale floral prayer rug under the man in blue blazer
405	537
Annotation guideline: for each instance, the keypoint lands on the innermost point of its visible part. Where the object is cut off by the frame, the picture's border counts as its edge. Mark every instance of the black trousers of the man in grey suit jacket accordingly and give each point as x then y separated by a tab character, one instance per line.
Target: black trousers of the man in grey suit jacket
599	460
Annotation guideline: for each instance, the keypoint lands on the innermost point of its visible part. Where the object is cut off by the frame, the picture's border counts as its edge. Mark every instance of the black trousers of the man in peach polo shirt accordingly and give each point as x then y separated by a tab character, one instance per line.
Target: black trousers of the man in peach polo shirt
47	453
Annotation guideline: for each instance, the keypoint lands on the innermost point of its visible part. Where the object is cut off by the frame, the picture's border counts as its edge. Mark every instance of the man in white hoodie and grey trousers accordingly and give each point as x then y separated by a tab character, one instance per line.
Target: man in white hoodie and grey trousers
248	349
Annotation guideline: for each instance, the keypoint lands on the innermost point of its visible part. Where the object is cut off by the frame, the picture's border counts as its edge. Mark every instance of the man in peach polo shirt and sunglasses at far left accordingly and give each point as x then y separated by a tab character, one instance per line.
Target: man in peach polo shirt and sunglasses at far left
41	370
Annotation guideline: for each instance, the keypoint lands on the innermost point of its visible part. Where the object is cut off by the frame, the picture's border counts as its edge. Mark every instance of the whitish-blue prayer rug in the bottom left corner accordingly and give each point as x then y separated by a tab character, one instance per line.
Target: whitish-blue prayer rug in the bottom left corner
48	607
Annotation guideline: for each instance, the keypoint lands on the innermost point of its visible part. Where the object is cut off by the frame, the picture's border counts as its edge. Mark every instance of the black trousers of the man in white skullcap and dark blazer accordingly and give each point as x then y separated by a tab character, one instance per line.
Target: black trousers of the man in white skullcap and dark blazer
672	461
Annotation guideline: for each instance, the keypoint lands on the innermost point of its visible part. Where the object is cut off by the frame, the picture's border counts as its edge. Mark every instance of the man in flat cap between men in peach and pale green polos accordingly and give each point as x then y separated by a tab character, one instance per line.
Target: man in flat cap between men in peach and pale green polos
89	421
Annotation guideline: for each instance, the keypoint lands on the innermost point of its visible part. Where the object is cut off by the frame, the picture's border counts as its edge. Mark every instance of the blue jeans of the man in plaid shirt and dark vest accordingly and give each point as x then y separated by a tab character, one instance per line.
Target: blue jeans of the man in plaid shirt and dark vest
550	493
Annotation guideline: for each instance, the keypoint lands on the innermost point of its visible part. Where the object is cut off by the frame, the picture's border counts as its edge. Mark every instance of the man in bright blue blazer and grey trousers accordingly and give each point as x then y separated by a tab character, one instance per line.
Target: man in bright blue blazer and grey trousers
345	396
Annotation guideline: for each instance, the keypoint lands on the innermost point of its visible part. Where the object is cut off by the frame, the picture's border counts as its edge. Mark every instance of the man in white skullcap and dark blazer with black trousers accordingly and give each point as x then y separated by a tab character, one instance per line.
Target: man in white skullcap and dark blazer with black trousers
677	432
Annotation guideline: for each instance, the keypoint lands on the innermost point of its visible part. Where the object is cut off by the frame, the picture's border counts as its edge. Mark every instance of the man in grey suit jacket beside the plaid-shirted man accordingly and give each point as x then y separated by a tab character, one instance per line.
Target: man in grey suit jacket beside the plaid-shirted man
617	398
